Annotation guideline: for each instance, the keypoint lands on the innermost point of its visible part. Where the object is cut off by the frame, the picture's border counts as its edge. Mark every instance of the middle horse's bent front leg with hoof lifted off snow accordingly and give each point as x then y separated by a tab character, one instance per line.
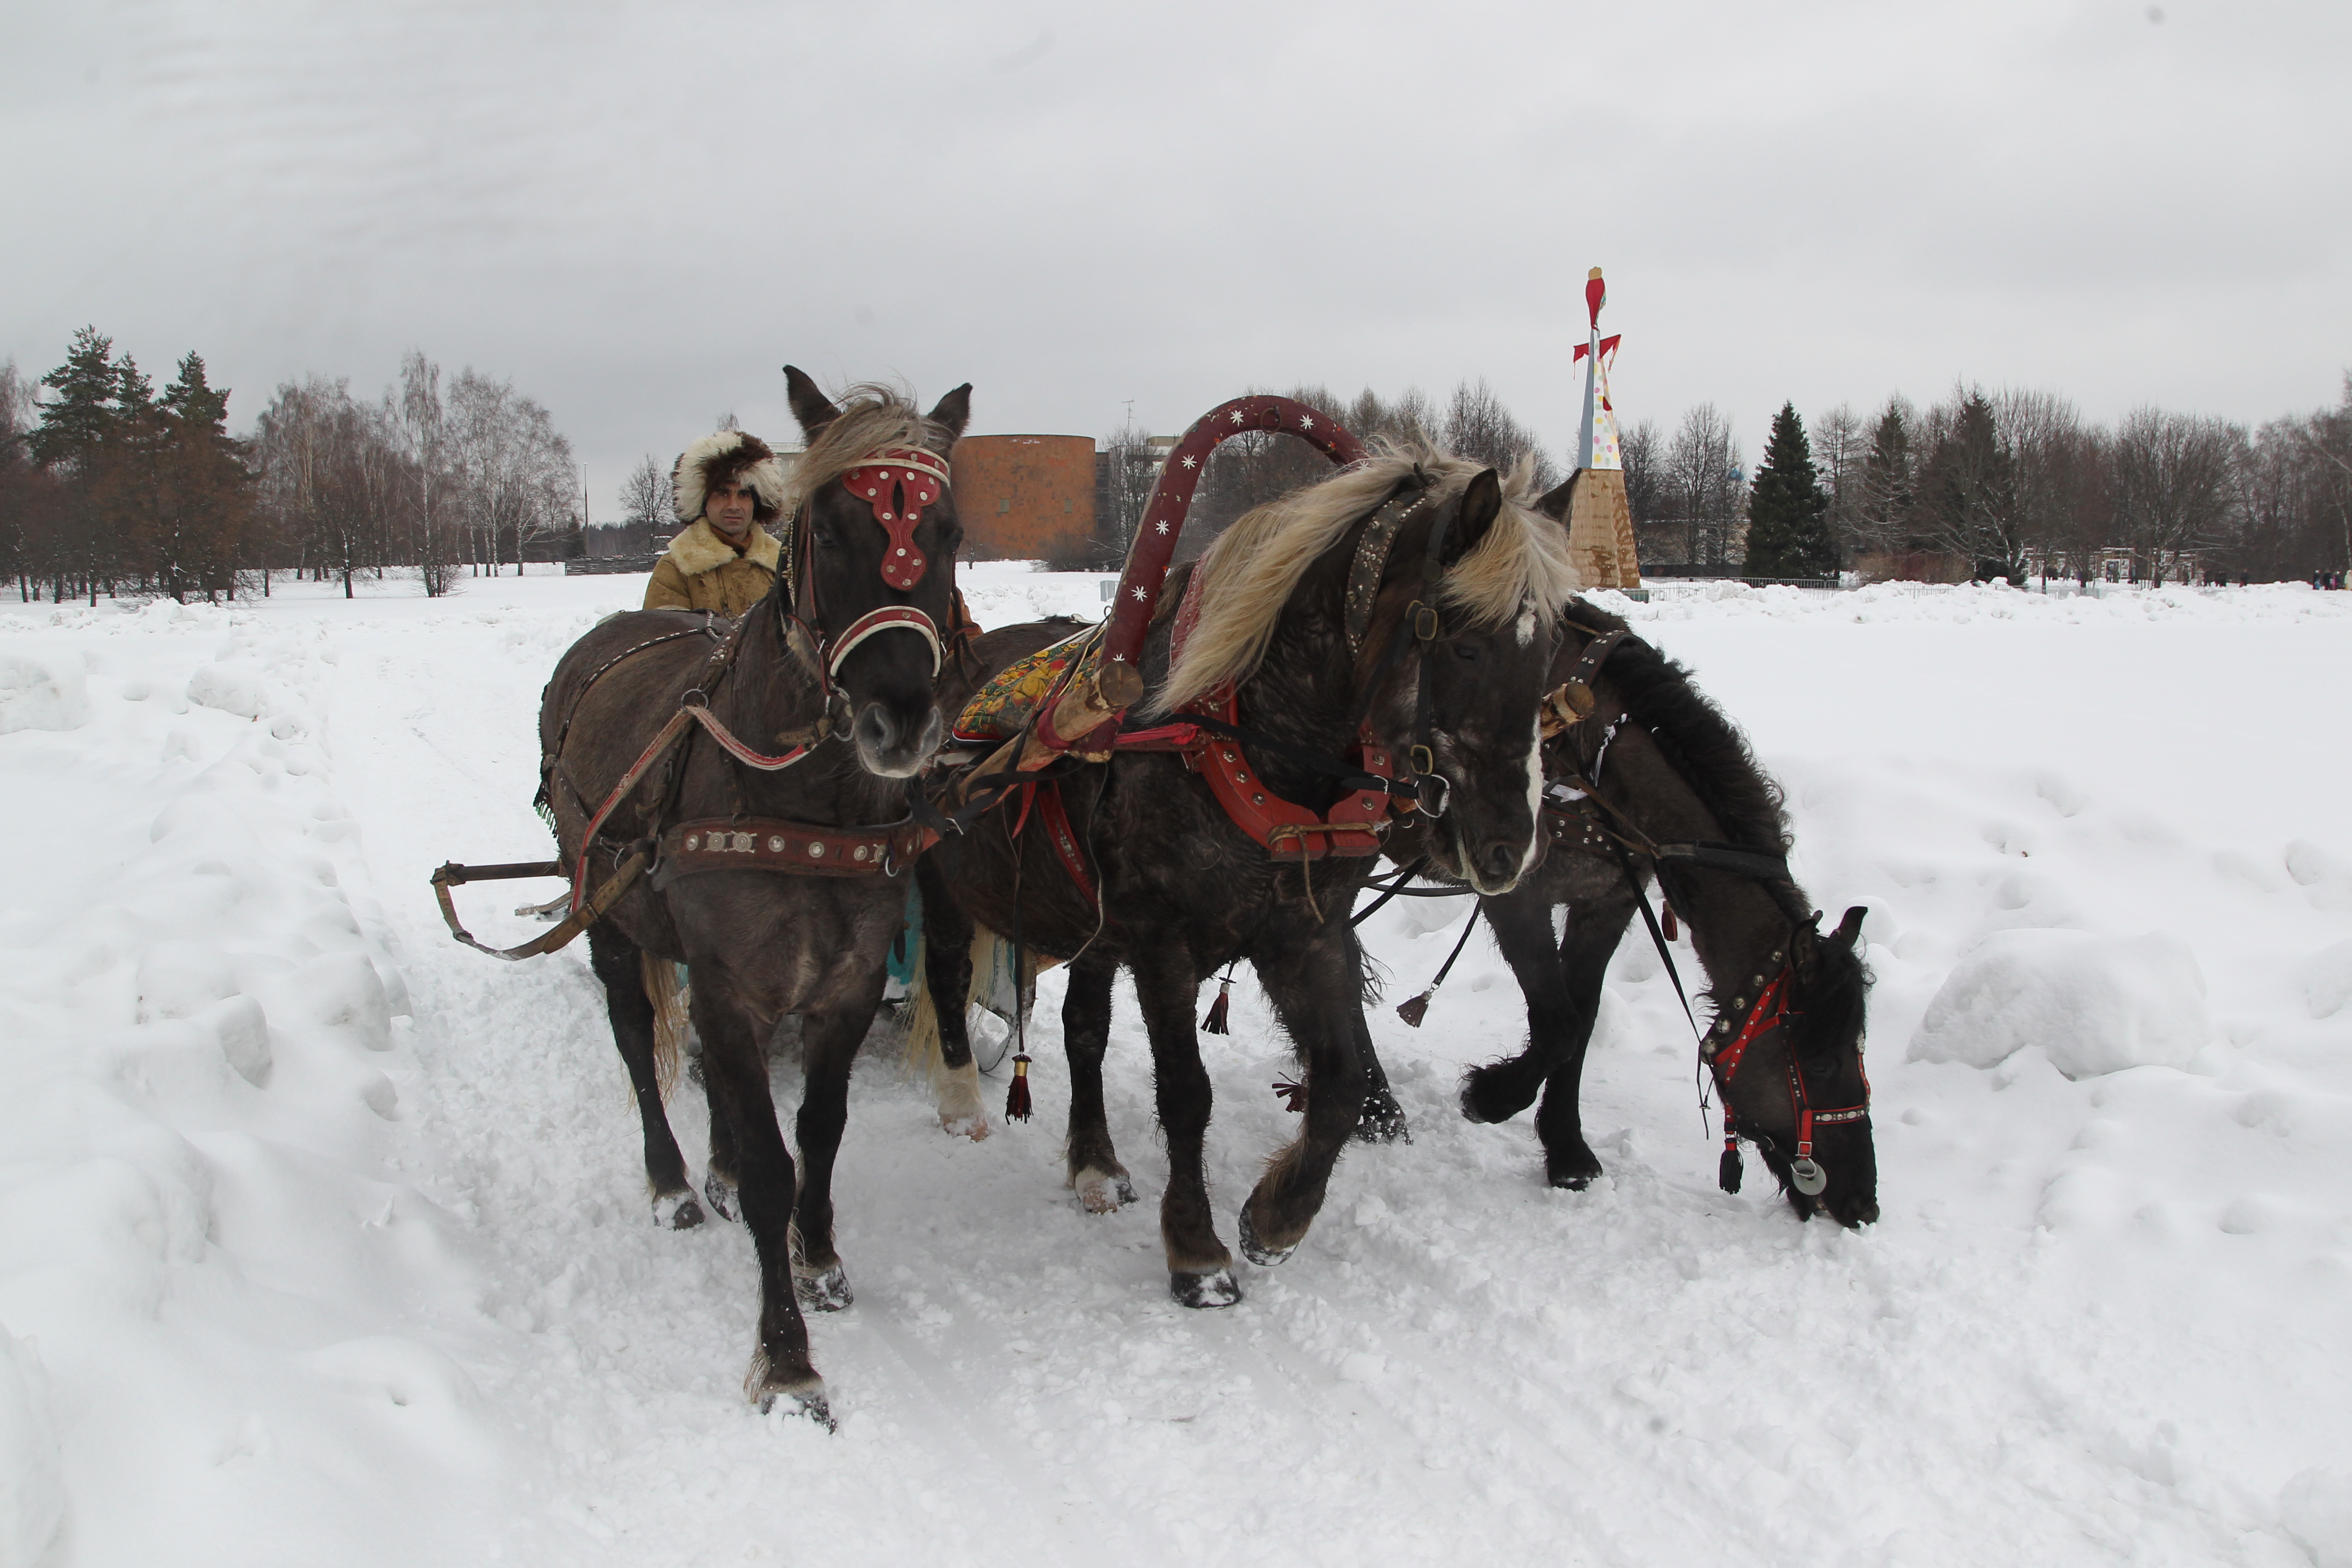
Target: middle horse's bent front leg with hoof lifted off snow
1321	1000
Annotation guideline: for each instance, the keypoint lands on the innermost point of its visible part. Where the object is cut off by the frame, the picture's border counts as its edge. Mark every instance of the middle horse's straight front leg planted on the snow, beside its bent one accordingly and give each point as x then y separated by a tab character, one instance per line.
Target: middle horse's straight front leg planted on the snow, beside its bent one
1168	986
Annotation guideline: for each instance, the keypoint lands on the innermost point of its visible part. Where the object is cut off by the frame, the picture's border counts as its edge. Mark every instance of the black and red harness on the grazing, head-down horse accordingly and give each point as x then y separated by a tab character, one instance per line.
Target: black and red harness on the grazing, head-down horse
1723	1050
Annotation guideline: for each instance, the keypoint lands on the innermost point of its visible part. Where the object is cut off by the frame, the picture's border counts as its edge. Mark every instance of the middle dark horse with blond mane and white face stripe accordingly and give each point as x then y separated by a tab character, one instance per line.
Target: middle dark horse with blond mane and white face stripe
1182	890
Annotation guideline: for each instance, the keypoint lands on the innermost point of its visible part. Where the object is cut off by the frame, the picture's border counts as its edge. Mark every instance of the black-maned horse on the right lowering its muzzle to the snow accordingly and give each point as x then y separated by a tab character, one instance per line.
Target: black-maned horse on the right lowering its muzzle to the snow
1671	775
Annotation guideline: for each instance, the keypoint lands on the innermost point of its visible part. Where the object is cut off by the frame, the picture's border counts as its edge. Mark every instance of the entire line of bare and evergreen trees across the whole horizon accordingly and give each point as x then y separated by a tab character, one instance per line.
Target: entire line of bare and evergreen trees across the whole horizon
109	485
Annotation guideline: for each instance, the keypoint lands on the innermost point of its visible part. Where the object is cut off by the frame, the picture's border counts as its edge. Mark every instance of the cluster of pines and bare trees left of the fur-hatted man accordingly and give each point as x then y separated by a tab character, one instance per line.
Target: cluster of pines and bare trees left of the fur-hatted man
109	488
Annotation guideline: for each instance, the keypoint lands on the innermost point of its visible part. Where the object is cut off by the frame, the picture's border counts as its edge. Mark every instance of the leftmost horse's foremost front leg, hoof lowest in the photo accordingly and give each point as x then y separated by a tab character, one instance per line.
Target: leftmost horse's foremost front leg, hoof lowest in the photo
735	1064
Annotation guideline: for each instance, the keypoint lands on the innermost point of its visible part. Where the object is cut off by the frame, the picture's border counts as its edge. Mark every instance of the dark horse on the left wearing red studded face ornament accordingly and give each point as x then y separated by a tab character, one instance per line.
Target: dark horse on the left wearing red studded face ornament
831	662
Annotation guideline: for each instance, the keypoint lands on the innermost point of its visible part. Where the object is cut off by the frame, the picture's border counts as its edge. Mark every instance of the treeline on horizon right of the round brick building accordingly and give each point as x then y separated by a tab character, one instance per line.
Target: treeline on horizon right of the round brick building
1979	485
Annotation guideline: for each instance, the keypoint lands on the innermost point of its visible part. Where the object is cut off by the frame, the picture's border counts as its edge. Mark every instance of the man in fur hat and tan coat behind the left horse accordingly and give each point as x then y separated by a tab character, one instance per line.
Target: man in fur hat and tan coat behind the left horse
726	488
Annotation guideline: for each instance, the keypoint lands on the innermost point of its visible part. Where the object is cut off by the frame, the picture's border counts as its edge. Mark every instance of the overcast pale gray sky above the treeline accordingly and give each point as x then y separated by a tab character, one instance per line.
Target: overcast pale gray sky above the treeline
641	213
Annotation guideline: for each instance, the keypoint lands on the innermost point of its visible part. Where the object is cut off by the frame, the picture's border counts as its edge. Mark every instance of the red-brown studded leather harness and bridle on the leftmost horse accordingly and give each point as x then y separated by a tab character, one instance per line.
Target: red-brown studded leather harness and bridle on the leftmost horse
897	483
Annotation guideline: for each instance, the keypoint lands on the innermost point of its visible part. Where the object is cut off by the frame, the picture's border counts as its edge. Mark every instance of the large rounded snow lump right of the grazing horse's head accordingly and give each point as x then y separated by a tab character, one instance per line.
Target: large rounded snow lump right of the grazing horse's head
2092	1003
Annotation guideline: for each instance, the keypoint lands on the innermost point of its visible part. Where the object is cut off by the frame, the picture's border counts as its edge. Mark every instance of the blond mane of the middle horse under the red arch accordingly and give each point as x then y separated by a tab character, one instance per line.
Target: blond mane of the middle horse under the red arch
1255	568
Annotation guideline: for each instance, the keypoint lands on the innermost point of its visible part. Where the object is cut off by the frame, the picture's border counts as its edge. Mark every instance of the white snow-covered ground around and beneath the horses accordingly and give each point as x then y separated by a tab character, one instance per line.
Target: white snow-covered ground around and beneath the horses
323	1240
